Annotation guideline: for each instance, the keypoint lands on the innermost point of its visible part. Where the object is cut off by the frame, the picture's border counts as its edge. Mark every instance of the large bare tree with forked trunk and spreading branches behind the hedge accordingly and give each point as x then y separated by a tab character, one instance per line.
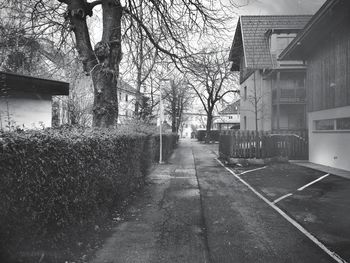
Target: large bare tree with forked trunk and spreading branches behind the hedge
172	20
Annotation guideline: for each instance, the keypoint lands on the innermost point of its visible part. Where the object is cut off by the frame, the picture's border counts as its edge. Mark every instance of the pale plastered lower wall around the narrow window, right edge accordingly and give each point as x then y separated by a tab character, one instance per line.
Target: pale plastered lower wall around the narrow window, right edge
329	148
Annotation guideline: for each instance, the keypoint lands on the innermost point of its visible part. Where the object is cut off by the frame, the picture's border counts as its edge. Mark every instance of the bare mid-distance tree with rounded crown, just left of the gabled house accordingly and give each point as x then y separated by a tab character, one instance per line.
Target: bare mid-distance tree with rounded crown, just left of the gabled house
210	77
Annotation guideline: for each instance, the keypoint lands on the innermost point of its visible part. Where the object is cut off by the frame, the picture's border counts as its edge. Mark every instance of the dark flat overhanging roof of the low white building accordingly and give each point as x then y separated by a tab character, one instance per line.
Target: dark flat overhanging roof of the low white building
10	82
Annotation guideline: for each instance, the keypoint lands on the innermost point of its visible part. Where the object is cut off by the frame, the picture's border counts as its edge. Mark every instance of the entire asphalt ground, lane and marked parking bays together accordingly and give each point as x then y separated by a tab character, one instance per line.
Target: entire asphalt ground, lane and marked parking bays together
196	210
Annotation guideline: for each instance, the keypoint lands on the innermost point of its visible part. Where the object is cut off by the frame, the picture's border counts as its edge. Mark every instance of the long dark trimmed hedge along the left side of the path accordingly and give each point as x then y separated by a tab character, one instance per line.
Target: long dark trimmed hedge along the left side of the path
53	181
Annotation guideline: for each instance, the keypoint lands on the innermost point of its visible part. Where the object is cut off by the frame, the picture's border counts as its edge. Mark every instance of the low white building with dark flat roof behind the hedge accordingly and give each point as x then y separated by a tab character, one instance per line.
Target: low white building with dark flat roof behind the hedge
25	102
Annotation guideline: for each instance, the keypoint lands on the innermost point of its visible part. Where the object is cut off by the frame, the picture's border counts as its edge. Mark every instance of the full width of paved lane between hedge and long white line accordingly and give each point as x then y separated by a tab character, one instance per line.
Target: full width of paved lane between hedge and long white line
194	210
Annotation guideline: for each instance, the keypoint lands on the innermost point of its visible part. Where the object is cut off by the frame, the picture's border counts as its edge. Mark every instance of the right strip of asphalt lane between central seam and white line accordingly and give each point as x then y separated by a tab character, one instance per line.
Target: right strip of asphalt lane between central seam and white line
241	227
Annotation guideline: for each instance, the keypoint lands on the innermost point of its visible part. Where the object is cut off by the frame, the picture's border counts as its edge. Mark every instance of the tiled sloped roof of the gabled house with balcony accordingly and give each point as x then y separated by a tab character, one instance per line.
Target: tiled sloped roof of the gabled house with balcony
251	38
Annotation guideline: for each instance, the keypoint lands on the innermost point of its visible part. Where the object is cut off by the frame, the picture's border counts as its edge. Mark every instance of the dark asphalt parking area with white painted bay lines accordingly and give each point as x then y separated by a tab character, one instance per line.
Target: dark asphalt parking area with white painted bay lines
318	201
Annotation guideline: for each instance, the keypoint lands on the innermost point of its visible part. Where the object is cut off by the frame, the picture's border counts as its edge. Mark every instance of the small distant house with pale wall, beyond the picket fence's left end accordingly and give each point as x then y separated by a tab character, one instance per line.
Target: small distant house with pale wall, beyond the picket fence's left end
229	117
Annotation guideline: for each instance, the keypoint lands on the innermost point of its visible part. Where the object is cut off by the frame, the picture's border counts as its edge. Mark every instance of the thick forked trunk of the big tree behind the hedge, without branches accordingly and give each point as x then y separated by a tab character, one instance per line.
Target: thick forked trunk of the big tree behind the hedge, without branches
103	62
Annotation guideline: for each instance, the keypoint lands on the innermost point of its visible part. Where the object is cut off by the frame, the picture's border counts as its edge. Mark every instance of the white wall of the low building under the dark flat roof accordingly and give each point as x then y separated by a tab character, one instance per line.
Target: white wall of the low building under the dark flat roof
28	110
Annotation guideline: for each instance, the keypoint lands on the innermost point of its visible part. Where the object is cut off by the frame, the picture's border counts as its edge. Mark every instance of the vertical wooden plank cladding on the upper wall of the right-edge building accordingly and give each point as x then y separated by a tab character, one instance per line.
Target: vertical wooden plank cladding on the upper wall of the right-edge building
328	71
